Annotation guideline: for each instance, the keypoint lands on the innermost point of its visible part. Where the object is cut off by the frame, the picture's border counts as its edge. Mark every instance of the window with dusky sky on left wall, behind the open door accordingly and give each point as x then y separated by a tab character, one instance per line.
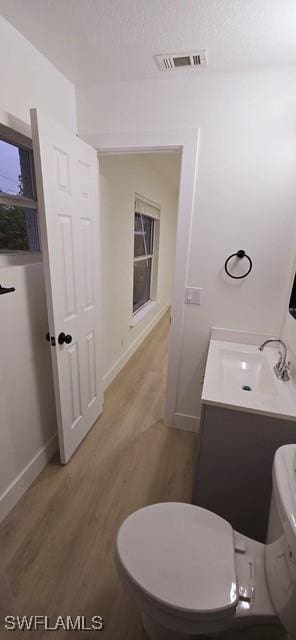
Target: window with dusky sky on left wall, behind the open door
18	204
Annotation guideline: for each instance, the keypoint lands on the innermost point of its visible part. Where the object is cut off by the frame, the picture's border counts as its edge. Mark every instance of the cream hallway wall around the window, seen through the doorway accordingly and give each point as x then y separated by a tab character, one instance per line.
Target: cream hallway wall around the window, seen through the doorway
121	176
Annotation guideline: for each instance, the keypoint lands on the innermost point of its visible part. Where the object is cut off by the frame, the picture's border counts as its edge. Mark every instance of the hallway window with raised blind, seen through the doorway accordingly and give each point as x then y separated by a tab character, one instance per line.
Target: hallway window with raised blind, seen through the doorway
145	253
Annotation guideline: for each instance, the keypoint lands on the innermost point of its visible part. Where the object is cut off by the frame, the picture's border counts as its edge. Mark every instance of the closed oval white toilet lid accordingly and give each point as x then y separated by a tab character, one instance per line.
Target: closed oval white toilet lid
181	555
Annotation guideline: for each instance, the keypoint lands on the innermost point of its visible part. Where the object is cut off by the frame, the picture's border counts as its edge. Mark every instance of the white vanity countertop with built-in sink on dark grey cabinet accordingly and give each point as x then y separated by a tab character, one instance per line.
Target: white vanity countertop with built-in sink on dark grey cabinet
231	366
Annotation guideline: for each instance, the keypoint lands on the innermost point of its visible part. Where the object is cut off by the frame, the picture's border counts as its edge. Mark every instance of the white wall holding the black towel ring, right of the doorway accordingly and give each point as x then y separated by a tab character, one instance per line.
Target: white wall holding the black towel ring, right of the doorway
245	195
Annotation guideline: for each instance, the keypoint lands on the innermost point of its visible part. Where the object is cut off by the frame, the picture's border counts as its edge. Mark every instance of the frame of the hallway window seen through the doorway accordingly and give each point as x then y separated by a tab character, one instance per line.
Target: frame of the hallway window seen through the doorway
147	256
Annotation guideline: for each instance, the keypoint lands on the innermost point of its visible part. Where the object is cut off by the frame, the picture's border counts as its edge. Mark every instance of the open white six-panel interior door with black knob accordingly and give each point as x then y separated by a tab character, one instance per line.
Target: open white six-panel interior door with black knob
67	189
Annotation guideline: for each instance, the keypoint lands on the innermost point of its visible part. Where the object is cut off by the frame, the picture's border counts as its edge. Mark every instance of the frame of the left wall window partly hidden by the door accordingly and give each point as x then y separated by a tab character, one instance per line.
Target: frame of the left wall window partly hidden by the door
19	140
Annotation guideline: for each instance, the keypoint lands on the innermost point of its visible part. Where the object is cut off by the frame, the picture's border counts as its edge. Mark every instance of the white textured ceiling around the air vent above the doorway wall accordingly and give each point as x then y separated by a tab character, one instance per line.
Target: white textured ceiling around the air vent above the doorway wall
101	41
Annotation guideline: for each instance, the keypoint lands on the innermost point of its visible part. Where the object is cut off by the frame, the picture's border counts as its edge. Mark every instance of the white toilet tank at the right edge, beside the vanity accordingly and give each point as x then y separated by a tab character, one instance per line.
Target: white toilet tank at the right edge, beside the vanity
280	549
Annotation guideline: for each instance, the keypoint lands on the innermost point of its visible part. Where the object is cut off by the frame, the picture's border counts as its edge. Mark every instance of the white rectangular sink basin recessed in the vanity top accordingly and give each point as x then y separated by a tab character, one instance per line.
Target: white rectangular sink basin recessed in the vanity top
248	372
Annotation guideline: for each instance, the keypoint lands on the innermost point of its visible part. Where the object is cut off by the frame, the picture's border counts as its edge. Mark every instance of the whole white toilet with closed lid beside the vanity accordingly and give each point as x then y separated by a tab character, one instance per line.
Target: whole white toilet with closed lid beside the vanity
191	574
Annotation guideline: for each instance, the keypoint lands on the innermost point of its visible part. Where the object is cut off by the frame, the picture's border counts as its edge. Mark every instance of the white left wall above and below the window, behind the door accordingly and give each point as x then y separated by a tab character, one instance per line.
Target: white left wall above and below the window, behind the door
27	410
